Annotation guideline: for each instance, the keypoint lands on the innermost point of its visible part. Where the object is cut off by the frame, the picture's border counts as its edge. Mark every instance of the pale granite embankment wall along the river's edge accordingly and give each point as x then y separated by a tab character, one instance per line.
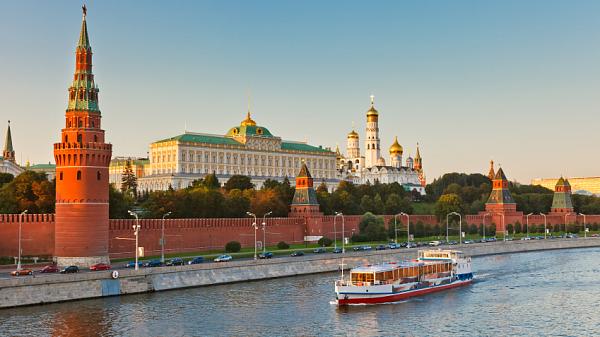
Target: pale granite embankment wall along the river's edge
56	288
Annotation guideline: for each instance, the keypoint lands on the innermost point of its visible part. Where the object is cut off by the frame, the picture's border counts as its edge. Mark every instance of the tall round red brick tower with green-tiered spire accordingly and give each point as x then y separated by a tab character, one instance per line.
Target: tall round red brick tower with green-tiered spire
82	158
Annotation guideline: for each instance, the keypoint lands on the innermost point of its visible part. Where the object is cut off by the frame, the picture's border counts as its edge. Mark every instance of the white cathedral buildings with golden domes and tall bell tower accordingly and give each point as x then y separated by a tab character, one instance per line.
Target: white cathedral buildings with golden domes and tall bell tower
372	167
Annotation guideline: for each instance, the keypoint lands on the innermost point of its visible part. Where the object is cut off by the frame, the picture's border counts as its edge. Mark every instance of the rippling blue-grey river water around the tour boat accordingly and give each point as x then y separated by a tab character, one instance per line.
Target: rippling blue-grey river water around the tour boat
552	293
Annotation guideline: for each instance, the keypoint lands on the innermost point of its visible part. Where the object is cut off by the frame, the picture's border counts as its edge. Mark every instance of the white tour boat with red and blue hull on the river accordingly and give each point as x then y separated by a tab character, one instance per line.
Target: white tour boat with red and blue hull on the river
434	270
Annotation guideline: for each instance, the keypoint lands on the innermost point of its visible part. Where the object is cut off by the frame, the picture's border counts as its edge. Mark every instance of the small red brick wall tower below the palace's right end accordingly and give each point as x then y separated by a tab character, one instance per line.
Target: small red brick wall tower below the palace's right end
305	203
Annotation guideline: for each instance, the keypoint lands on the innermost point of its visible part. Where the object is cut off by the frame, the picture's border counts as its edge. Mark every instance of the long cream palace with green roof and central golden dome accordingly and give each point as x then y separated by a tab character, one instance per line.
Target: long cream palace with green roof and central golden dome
247	149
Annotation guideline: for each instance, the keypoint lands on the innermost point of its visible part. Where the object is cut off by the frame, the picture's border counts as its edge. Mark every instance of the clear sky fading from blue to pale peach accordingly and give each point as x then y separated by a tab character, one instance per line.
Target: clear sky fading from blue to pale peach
513	81
